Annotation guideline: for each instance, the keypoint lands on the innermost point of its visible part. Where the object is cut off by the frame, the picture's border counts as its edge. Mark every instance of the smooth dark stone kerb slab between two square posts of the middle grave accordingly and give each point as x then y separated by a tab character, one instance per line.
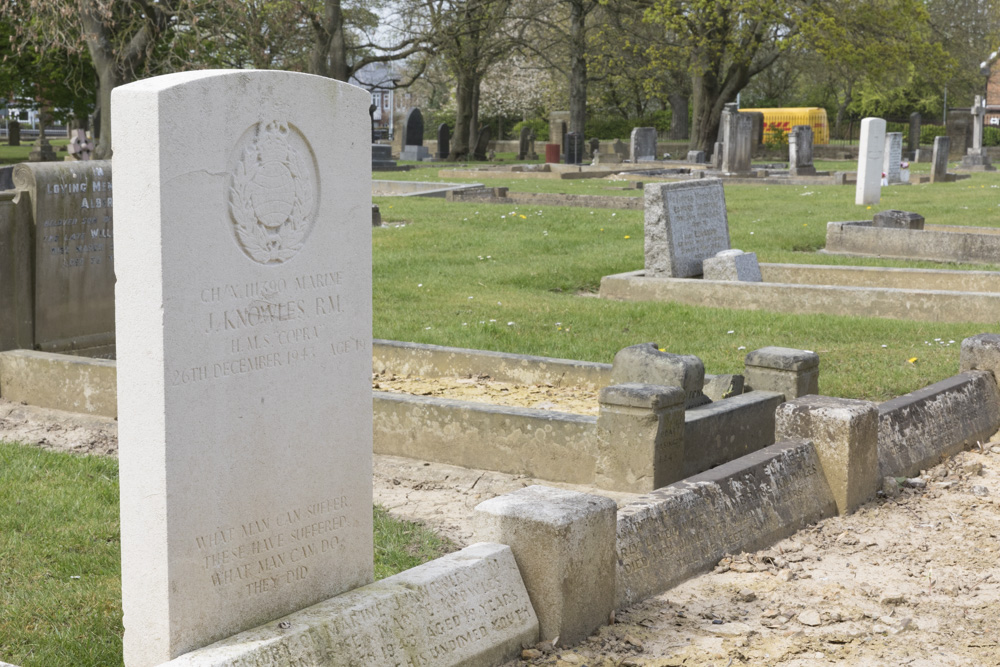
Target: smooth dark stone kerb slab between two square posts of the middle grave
728	429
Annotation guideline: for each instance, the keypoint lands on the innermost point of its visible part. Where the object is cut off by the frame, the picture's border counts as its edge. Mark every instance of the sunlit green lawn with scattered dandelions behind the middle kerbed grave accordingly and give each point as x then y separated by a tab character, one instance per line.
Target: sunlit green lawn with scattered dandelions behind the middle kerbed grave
519	278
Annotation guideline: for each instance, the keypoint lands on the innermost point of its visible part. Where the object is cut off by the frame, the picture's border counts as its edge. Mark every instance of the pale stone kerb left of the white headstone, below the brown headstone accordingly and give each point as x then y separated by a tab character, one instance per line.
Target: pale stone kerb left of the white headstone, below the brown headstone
60	382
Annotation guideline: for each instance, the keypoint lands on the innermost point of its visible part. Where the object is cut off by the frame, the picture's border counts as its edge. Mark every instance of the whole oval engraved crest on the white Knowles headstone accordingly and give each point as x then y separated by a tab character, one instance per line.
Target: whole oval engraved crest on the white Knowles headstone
273	191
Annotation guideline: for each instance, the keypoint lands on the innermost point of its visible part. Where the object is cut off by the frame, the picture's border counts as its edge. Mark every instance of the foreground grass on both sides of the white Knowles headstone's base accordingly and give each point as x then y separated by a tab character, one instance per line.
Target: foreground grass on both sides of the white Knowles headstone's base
60	564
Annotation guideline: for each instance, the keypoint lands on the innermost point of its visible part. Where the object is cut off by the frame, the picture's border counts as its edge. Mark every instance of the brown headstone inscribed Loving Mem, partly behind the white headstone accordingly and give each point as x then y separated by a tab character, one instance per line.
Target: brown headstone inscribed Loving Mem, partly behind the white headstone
71	204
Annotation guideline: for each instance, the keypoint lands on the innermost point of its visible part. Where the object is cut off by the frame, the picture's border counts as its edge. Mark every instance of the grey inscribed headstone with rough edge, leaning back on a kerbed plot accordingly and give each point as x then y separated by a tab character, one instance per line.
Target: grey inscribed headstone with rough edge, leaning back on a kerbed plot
685	223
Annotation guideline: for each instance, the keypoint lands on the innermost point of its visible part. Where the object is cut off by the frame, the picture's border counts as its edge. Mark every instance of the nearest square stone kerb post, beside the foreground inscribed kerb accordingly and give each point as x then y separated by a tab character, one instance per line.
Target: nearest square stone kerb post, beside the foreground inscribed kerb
564	545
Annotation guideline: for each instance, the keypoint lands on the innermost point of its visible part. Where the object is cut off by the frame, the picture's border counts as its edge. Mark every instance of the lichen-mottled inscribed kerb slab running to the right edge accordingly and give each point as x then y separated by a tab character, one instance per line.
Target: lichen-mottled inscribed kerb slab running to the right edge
917	429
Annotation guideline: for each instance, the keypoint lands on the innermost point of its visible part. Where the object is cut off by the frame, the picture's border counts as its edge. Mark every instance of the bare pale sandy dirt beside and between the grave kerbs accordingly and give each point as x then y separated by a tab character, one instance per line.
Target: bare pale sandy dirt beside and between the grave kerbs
912	580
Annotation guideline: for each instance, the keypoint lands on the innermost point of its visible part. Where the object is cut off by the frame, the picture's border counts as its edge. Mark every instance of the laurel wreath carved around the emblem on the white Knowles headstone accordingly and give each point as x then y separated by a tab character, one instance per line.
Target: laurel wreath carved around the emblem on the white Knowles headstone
288	239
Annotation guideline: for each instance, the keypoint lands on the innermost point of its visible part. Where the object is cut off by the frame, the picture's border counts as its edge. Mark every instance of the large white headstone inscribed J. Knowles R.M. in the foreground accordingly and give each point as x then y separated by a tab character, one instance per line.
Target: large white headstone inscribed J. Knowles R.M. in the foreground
243	303
